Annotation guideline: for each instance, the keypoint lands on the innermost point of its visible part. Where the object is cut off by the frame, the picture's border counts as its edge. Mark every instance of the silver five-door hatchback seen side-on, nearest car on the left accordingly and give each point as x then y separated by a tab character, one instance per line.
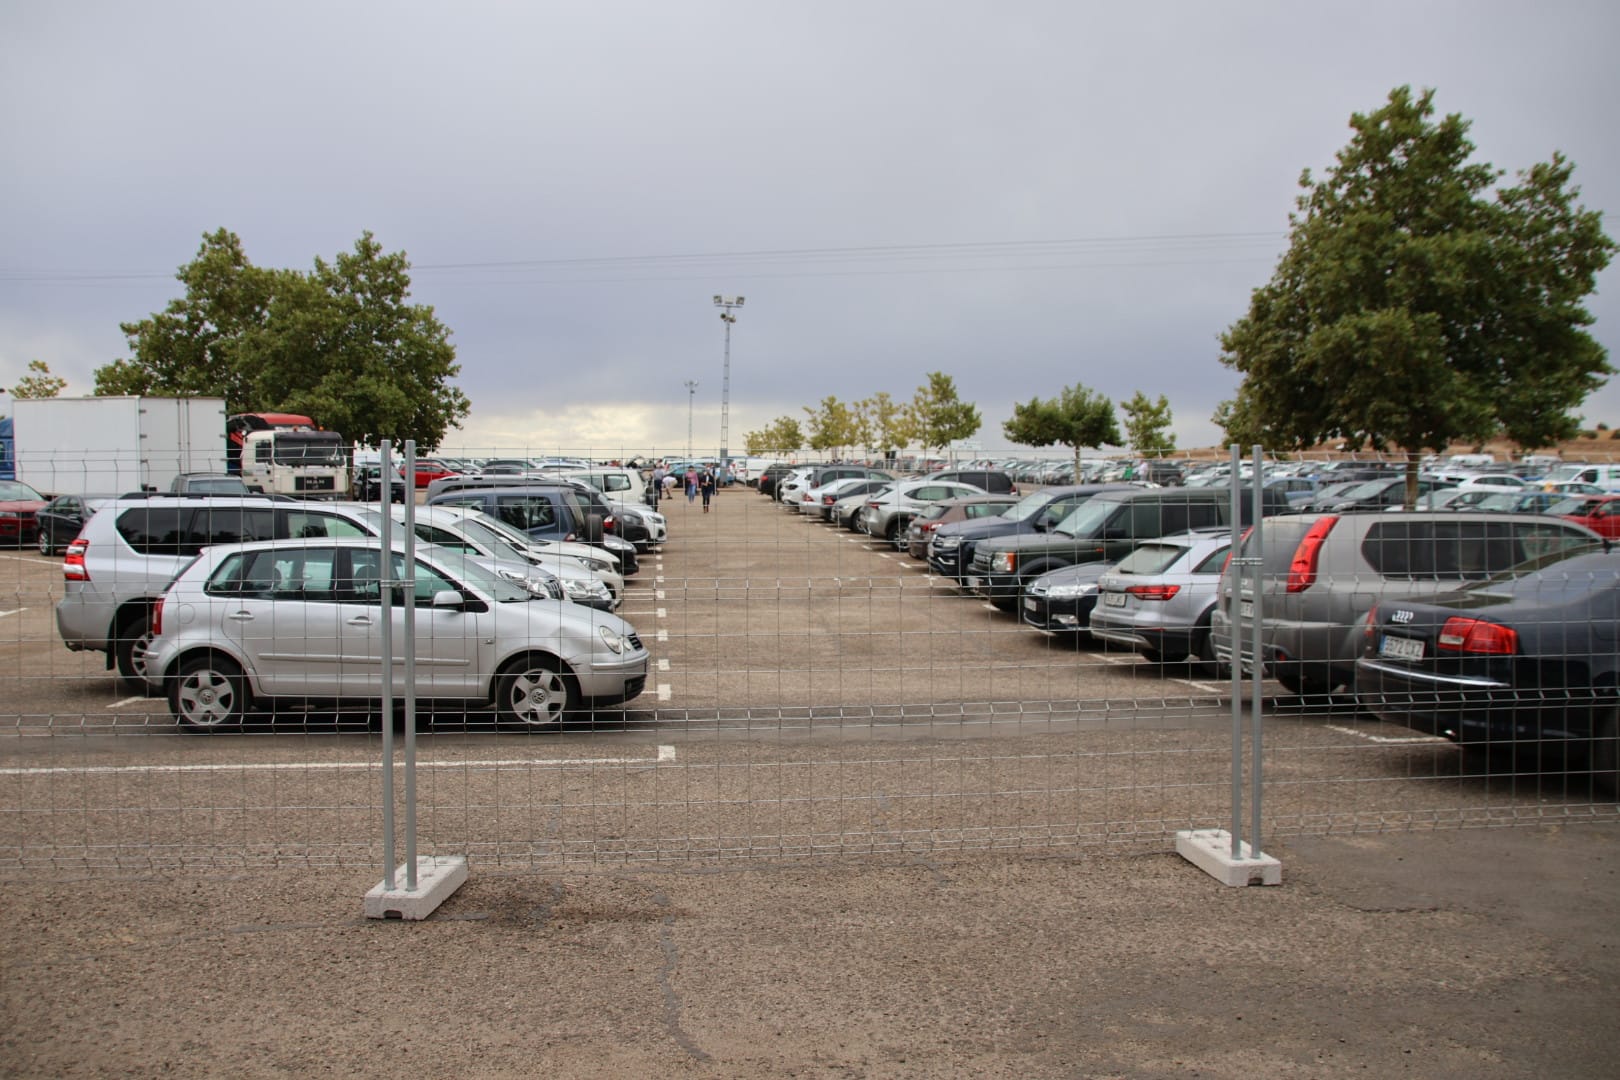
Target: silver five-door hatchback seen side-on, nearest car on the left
302	619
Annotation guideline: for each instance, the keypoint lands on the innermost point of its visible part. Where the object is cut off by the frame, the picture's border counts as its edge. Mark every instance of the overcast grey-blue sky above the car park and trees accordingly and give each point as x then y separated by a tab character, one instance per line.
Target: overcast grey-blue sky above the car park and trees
1020	195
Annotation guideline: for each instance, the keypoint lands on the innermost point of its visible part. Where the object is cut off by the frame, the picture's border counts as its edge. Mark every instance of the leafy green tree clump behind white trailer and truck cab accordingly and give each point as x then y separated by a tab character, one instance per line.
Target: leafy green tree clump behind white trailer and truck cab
341	342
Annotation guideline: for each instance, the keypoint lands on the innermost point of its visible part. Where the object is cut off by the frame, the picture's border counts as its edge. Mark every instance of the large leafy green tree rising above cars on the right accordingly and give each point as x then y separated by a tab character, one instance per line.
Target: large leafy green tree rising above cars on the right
1417	307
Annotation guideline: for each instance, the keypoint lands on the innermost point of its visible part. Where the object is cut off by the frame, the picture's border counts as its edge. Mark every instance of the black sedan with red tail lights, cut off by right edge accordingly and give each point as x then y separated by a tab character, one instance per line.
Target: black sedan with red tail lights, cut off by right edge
1527	661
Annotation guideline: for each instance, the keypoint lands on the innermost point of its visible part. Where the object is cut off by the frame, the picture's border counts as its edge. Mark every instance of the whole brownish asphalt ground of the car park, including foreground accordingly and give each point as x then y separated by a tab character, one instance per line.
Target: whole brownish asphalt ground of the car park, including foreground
1078	950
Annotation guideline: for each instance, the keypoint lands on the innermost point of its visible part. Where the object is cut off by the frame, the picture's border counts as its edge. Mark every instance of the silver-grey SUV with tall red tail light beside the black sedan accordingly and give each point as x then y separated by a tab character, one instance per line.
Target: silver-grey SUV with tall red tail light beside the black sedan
1323	572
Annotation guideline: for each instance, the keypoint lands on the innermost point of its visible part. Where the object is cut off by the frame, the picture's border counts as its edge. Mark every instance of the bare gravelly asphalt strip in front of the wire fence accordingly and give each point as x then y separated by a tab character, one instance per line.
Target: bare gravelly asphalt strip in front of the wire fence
1485	953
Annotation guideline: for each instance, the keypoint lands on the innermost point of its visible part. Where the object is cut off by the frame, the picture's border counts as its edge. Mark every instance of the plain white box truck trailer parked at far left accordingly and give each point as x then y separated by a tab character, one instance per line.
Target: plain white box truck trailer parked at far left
116	444
